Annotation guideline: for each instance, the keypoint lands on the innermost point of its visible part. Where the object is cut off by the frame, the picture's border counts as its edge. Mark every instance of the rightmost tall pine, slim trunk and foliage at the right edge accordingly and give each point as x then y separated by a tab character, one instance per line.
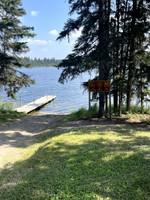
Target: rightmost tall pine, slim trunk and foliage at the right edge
138	33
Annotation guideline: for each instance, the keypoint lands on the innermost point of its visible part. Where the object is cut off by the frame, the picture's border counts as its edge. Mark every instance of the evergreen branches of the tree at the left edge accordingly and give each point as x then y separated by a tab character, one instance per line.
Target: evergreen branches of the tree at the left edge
11	46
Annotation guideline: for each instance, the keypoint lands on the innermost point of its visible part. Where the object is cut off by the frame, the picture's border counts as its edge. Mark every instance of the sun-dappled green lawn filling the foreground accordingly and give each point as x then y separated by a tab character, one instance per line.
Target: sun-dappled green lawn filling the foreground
110	163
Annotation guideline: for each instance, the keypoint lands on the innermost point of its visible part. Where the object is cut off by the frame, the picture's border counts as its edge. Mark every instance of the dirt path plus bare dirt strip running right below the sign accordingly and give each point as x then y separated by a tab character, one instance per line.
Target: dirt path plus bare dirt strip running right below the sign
16	136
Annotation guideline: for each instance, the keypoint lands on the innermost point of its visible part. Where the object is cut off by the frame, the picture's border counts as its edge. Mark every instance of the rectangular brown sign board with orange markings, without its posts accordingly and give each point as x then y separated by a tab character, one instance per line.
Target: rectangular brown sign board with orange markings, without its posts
99	86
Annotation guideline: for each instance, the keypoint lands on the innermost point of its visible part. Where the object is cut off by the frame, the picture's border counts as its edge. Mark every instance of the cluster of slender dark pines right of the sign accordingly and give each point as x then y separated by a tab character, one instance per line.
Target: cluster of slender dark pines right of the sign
129	42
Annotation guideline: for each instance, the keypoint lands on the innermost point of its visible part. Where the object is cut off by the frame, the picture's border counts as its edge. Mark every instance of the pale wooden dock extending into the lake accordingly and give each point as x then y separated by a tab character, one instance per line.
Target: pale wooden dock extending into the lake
35	104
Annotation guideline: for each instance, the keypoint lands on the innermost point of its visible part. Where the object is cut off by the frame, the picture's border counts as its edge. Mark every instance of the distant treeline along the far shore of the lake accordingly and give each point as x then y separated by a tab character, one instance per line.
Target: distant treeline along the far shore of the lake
37	62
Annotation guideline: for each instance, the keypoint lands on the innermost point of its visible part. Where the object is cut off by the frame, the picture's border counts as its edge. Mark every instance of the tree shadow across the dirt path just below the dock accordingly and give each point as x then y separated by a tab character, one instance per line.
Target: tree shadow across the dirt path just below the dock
25	131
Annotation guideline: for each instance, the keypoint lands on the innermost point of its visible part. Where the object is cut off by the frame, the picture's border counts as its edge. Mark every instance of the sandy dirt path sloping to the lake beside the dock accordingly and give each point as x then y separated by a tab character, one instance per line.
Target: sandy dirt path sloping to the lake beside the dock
21	133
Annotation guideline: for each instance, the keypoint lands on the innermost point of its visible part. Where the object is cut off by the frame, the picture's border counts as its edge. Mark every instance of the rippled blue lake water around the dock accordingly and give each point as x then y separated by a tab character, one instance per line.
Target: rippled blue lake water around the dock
69	96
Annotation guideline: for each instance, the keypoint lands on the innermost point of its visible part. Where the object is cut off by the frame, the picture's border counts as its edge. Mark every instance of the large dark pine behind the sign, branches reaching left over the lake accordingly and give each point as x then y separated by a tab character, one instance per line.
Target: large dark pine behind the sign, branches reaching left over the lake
91	48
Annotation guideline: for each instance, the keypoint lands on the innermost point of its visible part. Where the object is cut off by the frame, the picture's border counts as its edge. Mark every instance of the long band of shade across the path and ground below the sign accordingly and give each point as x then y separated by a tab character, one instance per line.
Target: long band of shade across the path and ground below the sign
34	125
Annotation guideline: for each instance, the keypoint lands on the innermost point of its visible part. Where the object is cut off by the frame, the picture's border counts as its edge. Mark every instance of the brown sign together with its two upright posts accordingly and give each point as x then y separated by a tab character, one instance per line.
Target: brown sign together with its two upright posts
99	86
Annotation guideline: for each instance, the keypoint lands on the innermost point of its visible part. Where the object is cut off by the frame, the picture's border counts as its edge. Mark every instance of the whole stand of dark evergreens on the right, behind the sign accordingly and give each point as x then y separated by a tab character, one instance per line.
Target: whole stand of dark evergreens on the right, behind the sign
115	42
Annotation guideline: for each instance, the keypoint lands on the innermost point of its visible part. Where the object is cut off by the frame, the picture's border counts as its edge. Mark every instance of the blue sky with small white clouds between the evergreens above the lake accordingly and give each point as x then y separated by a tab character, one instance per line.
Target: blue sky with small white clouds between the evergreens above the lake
48	18
